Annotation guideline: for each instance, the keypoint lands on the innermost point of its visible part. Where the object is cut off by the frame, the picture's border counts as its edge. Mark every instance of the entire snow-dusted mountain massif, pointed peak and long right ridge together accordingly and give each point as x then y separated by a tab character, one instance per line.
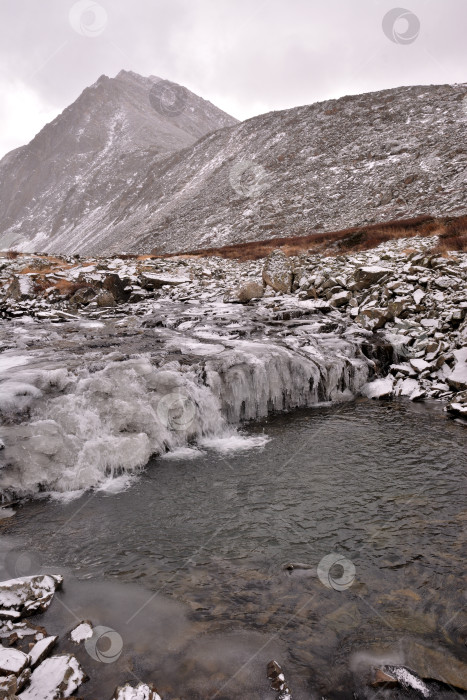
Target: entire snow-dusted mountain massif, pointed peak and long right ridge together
132	166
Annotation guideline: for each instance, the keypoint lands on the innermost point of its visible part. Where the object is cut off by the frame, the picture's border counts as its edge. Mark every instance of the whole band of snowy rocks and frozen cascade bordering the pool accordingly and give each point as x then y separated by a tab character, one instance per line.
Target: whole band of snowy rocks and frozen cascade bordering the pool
189	348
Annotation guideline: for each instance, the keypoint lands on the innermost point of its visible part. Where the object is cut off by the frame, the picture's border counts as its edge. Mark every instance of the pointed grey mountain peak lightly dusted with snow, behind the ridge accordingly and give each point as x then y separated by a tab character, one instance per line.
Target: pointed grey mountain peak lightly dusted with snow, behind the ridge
86	160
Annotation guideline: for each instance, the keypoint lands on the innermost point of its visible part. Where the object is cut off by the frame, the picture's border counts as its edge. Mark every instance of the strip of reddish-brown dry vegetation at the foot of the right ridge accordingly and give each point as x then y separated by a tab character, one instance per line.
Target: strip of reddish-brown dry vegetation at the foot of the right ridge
451	230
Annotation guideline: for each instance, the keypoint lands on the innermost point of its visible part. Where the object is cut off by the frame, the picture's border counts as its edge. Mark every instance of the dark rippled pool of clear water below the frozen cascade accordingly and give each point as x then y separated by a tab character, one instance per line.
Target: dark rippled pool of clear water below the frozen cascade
381	484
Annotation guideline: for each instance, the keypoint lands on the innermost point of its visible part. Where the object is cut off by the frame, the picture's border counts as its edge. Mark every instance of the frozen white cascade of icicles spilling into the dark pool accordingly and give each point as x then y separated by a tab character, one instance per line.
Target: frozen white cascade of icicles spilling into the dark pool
71	428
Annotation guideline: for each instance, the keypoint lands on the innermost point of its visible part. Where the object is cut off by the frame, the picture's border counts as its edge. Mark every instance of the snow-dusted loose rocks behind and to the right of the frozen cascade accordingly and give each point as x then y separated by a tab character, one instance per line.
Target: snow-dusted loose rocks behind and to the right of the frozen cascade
404	306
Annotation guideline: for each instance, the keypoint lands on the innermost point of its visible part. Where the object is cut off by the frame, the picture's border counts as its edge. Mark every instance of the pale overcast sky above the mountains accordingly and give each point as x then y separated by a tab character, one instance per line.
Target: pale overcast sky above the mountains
246	56
